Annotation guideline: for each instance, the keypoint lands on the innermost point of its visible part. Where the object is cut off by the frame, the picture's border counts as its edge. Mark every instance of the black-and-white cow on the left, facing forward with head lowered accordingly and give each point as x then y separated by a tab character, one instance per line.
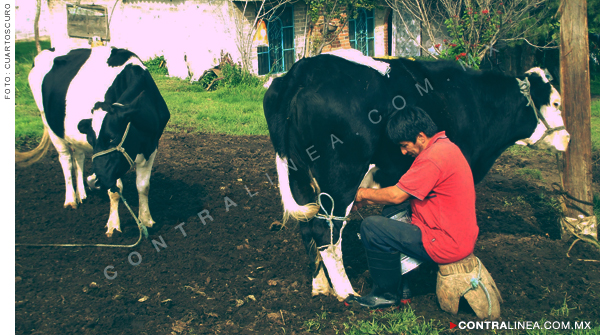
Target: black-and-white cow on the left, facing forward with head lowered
99	101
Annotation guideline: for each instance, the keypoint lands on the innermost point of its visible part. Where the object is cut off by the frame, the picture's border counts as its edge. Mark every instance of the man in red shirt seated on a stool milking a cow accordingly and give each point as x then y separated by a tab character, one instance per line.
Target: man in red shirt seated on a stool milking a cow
440	187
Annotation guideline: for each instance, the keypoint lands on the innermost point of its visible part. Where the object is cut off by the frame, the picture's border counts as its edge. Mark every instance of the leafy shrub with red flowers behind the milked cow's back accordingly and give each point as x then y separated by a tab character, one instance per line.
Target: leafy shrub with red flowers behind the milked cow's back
470	28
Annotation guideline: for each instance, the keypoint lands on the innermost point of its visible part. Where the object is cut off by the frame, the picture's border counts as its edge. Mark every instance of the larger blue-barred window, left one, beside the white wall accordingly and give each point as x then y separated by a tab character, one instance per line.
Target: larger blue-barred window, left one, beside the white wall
279	56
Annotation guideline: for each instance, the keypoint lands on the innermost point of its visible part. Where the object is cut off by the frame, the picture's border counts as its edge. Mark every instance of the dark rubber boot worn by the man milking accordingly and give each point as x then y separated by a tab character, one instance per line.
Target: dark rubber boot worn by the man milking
385	272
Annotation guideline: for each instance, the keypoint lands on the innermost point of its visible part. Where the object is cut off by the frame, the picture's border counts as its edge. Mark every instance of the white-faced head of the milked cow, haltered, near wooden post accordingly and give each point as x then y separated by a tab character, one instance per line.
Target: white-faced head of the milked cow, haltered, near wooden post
549	133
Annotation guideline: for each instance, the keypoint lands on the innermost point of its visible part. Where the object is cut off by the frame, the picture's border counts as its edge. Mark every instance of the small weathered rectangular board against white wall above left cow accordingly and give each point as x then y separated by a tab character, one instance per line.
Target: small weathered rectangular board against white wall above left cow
87	21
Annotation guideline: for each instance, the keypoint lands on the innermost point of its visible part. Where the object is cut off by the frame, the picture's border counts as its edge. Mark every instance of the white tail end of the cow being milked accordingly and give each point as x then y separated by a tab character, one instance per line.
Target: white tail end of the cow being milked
290	207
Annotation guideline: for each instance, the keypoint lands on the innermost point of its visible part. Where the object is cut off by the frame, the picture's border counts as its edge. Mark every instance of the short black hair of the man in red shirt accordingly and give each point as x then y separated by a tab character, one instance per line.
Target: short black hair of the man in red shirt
406	124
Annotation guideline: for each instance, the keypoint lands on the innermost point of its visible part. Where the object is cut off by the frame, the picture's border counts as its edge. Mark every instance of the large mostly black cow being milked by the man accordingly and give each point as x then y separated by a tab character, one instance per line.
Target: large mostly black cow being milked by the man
327	118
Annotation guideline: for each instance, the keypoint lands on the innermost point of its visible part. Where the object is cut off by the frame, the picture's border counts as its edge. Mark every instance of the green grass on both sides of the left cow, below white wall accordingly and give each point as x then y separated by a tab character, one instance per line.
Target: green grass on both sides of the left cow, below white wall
229	110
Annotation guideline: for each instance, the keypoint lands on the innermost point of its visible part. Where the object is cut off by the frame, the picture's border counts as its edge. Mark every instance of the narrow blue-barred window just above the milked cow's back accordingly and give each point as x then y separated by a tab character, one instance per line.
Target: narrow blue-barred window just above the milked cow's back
361	32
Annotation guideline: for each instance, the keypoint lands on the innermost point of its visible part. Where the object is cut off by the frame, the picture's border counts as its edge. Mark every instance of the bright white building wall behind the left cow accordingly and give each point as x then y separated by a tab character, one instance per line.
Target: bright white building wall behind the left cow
196	30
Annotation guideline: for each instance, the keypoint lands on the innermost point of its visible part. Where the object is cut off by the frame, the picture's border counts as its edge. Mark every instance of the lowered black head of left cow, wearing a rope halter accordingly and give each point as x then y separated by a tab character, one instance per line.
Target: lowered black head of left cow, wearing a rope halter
108	131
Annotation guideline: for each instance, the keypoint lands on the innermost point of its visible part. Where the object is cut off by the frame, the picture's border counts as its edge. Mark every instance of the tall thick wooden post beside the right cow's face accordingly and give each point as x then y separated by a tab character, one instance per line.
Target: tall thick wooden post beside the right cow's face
576	102
